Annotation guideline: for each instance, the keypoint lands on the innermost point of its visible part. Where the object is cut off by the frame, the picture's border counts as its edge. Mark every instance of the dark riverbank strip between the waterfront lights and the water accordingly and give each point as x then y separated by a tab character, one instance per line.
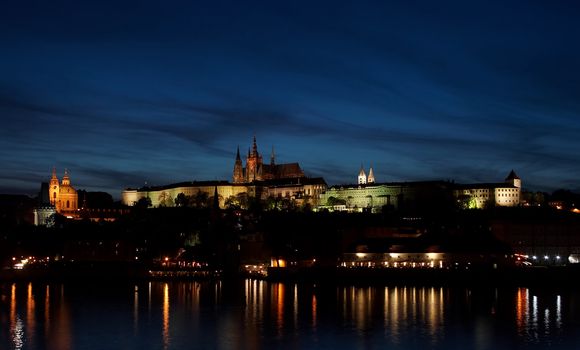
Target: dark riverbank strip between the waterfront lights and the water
515	276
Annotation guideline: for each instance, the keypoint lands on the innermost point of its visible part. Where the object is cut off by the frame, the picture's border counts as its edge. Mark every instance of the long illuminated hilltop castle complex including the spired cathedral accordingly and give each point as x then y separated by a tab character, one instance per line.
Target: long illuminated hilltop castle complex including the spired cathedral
259	180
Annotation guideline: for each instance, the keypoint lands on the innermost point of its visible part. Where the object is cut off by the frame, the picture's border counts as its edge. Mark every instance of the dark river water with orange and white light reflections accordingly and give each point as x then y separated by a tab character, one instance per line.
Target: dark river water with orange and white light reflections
260	315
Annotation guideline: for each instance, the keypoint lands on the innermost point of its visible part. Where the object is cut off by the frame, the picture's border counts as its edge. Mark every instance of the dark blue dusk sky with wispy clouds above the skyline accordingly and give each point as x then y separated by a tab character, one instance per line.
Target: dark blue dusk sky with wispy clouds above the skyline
127	92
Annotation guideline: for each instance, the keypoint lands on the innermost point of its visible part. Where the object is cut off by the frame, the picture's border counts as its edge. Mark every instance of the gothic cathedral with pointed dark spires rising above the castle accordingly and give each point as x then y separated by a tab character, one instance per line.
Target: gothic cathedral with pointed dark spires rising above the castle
256	170
